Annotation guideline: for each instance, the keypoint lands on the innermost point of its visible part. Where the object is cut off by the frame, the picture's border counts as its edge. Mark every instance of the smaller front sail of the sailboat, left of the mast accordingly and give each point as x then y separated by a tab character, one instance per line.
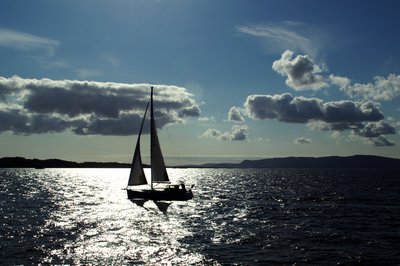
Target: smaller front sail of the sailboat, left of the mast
137	177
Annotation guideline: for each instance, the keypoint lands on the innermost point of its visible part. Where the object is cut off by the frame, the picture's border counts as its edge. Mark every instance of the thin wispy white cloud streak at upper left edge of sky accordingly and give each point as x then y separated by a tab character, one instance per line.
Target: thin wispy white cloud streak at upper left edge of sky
27	42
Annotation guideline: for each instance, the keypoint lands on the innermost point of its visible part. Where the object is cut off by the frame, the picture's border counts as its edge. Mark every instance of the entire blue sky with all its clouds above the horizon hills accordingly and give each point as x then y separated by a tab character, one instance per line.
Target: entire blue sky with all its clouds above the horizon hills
233	79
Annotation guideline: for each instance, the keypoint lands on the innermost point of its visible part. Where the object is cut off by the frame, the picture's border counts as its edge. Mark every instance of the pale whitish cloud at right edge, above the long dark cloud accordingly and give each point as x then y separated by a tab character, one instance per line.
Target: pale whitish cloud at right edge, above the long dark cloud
382	89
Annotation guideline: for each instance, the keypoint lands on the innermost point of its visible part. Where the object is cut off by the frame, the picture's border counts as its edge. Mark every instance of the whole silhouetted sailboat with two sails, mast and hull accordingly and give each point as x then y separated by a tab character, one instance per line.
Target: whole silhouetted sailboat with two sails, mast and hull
137	189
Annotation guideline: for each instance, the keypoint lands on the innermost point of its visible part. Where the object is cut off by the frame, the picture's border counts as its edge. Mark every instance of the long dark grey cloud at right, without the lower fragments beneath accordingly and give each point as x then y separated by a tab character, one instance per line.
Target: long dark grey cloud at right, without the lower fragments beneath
287	108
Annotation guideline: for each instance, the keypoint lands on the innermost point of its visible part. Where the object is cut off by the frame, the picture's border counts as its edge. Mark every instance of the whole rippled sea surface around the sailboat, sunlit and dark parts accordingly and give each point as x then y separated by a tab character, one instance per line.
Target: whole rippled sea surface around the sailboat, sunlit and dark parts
237	216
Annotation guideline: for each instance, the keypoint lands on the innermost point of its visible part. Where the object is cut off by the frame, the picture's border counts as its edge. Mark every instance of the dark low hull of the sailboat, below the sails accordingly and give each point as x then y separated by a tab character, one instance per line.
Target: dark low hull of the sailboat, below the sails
166	194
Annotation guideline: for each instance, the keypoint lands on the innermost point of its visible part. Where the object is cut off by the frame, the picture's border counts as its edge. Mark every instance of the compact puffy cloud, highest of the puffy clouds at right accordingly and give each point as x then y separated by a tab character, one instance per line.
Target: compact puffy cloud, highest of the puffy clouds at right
301	72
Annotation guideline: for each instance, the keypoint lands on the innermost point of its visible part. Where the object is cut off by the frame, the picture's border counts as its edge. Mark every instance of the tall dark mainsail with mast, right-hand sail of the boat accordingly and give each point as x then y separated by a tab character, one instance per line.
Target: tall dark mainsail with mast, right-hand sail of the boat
158	170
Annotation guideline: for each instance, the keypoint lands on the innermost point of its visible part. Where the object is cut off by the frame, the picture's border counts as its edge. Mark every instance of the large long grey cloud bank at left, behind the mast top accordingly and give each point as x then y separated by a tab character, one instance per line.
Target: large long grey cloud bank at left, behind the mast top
86	107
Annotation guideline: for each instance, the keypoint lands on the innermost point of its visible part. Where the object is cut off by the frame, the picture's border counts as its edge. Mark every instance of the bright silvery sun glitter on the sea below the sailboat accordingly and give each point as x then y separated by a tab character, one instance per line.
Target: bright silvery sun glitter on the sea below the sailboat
115	230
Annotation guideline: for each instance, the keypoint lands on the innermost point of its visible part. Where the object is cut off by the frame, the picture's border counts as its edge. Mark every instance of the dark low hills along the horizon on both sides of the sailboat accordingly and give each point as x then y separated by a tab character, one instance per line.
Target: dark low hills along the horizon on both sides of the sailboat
356	161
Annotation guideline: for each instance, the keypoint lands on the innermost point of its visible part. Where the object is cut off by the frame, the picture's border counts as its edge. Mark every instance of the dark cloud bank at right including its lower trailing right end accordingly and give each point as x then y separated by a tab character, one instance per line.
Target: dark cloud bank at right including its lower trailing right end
363	119
